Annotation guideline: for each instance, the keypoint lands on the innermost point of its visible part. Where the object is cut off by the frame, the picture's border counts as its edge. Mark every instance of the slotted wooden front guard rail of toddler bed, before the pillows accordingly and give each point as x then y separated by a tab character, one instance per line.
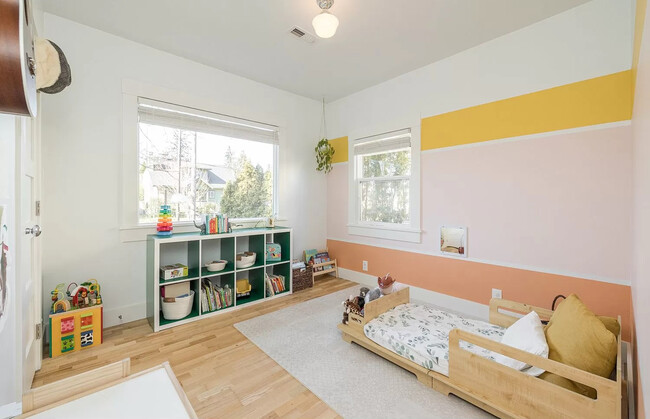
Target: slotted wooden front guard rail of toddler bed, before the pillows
510	390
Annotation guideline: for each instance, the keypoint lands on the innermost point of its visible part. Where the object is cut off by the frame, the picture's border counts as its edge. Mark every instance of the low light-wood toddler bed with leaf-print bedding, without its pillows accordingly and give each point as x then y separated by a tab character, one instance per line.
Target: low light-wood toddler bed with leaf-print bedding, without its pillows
415	338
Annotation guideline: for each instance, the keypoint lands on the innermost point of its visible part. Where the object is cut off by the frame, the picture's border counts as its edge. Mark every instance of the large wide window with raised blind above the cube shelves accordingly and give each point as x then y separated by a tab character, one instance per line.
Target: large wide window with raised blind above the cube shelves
204	163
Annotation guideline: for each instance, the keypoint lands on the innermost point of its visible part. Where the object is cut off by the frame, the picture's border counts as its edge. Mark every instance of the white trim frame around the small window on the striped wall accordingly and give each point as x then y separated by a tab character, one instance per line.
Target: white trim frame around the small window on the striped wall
400	232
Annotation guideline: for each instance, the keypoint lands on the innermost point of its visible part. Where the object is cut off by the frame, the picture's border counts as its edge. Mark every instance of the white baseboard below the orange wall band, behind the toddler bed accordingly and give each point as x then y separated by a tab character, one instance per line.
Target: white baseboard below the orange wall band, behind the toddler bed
469	308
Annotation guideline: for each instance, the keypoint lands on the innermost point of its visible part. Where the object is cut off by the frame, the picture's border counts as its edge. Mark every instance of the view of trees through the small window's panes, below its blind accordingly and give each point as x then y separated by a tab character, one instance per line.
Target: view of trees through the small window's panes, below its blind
384	183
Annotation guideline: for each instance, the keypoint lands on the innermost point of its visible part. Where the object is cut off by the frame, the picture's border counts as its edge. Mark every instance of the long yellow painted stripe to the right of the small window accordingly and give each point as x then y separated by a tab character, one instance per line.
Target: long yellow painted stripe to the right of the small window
589	102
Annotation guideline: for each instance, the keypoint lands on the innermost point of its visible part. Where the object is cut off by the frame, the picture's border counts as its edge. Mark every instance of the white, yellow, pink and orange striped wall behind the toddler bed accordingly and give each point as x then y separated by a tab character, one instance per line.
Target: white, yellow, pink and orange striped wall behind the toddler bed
547	205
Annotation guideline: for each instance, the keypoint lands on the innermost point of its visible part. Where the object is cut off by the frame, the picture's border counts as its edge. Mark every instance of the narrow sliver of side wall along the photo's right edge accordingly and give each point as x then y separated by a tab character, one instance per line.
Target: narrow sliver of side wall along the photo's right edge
641	147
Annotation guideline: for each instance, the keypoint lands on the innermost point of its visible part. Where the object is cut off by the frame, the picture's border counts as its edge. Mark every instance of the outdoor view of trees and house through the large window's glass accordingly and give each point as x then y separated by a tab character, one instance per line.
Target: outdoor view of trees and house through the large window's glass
198	173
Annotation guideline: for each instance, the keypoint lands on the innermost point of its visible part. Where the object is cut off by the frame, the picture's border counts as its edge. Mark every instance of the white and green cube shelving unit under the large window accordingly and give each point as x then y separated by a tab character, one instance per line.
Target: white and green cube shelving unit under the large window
196	250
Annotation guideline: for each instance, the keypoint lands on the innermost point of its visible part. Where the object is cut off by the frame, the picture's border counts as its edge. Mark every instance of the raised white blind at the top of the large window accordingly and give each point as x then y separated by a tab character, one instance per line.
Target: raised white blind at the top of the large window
173	116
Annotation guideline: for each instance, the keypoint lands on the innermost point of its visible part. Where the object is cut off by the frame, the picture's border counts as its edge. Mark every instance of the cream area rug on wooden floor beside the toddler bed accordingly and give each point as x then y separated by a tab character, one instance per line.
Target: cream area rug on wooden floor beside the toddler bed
353	381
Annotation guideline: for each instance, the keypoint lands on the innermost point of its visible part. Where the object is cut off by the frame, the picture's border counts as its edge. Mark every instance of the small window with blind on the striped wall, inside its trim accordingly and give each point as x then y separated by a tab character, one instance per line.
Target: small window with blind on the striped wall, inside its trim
384	188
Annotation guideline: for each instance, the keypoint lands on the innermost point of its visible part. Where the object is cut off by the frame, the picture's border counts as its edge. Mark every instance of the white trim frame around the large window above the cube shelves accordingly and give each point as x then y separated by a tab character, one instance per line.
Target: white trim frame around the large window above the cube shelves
130	227
